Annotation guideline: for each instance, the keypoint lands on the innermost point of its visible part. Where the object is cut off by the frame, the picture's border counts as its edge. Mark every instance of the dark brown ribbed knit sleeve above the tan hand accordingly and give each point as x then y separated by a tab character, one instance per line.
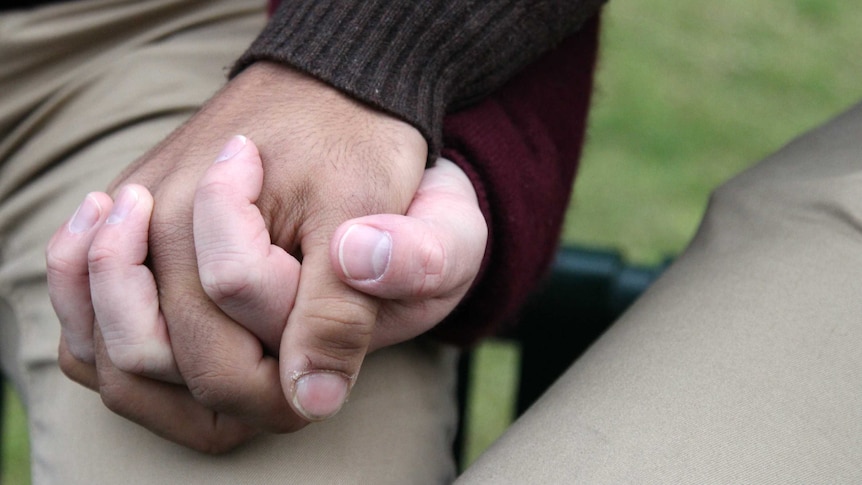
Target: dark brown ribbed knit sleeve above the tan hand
415	59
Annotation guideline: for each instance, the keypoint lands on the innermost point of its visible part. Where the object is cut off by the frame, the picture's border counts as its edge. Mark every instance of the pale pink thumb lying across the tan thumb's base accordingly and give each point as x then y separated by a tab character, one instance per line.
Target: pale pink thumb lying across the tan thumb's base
433	251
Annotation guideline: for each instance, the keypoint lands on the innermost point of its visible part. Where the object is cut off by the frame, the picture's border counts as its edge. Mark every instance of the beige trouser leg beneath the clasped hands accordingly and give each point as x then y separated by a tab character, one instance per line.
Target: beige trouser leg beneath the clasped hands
85	88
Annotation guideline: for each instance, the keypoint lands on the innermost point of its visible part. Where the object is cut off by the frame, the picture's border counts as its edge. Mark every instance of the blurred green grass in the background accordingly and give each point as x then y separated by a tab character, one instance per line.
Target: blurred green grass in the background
689	94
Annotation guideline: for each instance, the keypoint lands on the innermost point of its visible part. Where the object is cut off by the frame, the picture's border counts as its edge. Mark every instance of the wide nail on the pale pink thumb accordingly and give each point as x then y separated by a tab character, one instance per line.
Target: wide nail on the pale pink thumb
364	252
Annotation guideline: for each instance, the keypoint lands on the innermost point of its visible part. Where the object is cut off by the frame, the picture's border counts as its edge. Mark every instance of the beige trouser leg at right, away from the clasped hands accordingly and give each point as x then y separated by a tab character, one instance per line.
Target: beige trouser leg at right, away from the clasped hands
743	364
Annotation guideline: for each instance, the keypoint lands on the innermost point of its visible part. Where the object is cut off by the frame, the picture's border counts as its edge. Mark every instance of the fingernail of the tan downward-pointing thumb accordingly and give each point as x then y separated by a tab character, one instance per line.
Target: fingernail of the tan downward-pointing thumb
319	395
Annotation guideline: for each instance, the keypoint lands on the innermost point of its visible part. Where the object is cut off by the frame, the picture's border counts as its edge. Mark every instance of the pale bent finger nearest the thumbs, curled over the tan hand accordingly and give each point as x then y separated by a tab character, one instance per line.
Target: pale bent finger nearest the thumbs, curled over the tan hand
250	279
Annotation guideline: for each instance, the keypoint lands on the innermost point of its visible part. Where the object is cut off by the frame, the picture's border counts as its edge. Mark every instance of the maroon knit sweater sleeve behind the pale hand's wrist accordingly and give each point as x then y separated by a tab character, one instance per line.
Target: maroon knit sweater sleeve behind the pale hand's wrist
520	147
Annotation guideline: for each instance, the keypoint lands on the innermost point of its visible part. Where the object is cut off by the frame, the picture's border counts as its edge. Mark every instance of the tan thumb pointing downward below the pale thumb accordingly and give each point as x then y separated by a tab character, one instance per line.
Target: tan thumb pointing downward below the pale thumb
326	339
